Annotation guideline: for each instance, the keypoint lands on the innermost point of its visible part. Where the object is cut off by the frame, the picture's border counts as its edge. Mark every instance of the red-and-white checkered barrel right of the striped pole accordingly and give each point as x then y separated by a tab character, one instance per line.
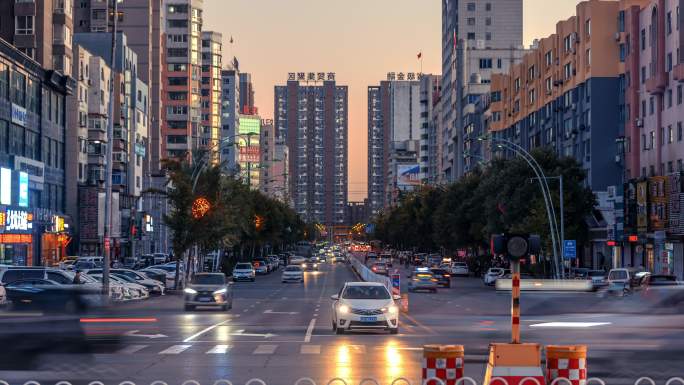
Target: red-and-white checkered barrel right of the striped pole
567	362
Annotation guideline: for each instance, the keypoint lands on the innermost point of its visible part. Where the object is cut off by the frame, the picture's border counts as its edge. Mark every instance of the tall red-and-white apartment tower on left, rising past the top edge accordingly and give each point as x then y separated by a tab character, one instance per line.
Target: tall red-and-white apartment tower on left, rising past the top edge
181	77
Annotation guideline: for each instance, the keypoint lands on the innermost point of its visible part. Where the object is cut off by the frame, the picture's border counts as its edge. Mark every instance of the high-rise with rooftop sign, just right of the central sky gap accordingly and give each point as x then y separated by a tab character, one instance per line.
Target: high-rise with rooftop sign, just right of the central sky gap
393	119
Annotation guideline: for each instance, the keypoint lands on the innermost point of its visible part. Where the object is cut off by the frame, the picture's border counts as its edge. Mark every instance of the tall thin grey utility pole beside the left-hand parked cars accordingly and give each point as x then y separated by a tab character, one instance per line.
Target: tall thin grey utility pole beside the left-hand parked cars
108	158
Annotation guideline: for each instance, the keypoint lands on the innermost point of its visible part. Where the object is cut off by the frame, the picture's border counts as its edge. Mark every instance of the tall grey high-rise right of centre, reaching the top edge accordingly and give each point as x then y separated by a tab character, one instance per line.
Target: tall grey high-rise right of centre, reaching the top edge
479	38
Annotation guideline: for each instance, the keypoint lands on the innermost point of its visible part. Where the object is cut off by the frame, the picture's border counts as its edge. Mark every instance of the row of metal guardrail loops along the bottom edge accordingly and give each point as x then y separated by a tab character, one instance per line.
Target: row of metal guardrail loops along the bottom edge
366	381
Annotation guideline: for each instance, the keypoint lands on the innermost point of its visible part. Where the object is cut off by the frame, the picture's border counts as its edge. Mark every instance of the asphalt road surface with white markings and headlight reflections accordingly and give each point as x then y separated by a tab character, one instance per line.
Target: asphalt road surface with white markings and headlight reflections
282	332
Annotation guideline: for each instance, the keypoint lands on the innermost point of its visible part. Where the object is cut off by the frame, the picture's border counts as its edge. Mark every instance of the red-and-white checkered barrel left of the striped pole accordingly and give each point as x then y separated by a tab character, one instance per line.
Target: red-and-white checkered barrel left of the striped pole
443	363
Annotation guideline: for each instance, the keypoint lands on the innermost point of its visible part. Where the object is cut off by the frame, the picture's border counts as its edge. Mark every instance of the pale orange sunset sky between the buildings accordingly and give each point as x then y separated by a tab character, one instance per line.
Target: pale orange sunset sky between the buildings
359	40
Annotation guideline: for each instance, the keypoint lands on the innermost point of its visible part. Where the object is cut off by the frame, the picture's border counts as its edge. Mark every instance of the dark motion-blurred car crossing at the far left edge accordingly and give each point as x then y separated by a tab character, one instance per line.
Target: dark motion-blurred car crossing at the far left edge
50	296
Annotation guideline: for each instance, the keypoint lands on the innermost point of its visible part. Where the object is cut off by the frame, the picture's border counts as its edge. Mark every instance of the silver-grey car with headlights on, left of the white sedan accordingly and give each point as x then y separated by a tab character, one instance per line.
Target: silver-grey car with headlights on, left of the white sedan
209	289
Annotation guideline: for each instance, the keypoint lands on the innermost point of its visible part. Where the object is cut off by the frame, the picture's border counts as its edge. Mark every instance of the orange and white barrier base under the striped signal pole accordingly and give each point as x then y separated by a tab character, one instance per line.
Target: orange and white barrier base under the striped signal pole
514	364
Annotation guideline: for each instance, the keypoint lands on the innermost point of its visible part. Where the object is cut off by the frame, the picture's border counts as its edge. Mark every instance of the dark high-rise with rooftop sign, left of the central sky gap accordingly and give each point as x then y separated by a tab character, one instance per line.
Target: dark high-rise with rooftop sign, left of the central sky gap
312	116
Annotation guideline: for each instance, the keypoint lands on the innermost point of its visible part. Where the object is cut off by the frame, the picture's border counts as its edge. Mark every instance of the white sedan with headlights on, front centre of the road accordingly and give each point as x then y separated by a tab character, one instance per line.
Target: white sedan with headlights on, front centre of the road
364	305
